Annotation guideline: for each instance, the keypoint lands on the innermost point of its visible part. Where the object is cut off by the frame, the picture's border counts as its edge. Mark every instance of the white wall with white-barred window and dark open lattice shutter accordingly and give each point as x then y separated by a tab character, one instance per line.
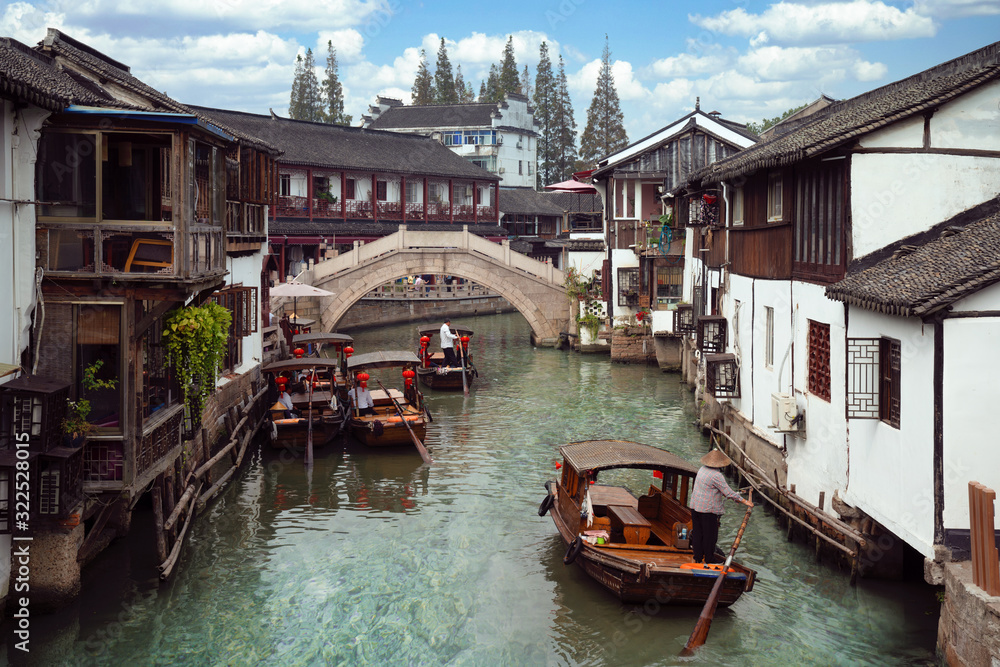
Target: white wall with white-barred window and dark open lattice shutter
892	470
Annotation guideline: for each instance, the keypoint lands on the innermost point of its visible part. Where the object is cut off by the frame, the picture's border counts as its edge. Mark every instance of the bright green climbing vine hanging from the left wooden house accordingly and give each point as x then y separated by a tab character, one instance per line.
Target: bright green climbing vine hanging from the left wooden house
196	340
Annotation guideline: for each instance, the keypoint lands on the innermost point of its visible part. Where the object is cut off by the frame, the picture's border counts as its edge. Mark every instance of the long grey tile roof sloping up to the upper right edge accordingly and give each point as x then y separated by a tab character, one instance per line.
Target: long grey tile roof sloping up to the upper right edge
841	123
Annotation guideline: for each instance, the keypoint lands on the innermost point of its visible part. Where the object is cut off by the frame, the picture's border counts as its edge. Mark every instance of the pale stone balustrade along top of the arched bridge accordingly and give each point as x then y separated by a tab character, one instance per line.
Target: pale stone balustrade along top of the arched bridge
405	239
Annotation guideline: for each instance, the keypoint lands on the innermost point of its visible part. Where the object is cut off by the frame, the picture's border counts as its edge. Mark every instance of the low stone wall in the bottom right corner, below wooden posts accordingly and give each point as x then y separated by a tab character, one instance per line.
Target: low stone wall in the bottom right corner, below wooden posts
969	627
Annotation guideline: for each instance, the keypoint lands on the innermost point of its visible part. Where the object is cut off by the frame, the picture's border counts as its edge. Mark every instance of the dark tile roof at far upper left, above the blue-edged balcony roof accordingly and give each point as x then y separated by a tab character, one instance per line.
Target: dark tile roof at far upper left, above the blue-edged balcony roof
33	77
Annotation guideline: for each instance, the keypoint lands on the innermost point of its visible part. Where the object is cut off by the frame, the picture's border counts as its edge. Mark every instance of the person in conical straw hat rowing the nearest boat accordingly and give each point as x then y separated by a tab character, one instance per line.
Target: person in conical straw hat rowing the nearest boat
710	491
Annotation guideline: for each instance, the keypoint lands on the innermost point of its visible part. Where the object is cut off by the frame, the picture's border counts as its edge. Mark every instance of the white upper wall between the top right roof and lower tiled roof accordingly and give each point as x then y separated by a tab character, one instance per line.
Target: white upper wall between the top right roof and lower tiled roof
896	195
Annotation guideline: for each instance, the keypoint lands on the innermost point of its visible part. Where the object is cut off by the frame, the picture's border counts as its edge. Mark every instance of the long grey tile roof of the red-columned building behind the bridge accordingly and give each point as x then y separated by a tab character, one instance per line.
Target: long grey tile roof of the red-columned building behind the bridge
340	147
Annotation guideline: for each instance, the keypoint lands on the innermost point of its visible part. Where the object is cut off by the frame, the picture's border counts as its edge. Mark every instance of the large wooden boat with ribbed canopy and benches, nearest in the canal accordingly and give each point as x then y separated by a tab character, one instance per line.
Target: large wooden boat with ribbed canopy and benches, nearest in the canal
632	544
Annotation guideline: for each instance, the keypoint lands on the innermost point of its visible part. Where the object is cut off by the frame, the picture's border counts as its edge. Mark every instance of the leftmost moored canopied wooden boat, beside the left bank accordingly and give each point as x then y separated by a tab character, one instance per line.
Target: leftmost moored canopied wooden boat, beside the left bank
314	401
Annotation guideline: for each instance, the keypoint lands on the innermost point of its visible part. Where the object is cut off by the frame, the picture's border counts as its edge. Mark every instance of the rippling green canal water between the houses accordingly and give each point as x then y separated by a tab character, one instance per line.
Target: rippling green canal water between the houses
374	558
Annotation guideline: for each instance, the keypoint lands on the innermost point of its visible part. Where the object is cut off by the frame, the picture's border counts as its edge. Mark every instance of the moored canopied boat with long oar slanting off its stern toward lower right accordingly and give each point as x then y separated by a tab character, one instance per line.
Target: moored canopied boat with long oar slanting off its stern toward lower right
386	428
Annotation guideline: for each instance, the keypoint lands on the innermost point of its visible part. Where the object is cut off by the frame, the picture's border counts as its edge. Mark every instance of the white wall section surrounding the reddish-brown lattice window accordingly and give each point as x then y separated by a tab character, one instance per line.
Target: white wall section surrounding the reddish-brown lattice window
818	461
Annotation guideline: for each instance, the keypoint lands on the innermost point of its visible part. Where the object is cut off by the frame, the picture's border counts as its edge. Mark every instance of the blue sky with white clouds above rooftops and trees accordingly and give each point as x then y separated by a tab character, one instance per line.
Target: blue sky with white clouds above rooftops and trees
749	60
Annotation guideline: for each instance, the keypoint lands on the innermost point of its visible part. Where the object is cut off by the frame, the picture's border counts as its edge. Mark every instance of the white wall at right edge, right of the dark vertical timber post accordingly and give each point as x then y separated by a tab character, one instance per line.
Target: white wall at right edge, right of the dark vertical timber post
971	367
